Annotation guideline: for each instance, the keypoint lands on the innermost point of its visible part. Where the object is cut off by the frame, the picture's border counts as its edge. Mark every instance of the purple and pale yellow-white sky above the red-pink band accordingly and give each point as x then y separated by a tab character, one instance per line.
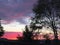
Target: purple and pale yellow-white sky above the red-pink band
15	14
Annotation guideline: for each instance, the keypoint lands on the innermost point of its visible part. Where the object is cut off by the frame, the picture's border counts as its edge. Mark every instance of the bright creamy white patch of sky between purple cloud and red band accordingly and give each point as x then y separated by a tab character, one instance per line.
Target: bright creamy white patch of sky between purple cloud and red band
14	27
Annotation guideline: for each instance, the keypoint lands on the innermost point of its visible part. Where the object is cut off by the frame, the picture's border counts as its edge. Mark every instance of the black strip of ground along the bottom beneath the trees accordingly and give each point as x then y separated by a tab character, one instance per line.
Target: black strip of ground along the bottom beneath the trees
29	42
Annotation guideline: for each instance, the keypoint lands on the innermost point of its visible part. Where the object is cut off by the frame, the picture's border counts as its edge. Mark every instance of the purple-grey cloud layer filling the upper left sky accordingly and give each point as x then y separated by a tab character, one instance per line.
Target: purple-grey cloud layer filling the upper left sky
16	10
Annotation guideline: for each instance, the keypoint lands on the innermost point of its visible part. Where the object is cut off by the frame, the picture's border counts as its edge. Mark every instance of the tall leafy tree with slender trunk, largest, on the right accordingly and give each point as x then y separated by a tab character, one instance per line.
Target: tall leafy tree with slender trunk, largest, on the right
47	13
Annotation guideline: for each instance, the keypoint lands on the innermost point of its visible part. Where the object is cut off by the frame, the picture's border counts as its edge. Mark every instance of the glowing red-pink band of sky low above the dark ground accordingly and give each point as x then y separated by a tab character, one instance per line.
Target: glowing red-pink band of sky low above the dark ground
12	35
